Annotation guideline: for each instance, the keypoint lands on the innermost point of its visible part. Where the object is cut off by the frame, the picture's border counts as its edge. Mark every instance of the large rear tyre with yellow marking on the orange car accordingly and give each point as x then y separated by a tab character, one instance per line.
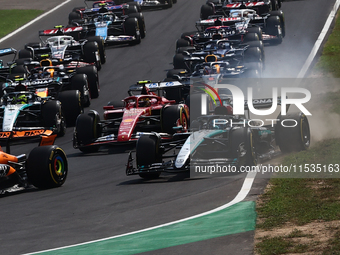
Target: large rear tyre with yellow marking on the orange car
47	167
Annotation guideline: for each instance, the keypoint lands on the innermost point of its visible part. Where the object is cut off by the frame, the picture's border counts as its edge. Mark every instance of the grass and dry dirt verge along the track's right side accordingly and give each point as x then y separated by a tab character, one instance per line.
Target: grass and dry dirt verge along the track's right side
307	205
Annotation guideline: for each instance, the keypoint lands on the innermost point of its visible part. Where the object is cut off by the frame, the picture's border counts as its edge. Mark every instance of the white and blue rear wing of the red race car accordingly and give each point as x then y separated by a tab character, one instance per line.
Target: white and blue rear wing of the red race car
154	86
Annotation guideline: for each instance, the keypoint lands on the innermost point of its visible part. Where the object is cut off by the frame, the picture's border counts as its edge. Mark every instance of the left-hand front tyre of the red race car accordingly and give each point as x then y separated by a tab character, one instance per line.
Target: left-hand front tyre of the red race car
87	130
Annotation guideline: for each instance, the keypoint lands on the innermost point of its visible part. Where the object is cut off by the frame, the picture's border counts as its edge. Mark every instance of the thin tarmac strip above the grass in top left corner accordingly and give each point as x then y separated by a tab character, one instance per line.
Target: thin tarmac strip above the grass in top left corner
29	4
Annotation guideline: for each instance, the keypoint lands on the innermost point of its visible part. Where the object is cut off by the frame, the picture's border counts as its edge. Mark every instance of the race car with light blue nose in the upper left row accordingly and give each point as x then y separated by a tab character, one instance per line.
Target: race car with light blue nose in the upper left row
115	24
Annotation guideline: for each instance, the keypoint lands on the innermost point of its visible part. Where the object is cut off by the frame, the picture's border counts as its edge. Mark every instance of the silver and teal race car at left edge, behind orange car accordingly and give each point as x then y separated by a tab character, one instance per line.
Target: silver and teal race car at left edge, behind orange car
26	115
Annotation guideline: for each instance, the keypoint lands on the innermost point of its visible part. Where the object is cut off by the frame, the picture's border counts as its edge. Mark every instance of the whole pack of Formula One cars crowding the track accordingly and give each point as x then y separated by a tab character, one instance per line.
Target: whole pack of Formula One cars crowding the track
49	83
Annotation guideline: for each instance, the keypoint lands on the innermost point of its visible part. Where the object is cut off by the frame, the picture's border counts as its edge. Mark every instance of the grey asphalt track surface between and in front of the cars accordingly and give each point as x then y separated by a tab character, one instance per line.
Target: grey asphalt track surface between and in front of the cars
98	200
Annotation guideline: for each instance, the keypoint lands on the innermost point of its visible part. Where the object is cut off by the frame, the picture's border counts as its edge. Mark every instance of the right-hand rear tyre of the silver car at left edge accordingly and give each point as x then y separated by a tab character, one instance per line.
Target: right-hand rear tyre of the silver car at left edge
71	105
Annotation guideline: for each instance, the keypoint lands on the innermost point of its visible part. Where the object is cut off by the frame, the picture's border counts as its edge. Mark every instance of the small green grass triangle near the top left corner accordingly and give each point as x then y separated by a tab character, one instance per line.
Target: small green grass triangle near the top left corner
13	19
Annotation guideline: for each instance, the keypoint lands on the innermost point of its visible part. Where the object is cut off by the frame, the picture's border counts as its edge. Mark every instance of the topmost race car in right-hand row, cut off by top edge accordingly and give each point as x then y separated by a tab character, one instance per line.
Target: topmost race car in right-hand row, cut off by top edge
223	7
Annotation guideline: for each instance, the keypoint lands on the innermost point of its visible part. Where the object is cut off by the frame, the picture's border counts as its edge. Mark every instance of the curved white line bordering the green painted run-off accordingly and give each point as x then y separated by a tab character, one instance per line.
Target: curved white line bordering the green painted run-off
247	184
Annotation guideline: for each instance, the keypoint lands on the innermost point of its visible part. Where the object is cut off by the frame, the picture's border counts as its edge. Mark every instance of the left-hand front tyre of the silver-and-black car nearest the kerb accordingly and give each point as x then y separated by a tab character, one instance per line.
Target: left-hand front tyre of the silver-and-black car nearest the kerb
147	153
